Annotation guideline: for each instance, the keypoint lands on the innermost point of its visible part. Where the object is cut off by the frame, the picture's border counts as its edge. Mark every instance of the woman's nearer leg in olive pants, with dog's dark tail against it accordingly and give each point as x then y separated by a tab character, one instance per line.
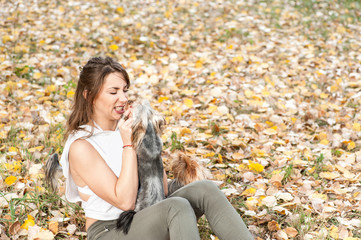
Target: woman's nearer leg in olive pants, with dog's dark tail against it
169	219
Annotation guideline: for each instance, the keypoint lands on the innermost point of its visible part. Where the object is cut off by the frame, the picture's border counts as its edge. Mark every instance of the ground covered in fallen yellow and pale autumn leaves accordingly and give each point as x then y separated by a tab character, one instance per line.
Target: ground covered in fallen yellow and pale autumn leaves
265	93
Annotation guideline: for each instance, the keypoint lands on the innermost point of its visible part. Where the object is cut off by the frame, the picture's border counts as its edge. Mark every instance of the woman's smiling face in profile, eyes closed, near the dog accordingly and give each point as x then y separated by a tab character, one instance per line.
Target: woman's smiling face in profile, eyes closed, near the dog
111	100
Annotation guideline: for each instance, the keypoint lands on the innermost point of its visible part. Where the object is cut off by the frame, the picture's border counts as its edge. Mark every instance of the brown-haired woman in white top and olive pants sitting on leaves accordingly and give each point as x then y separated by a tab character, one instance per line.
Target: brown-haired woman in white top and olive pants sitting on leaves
100	165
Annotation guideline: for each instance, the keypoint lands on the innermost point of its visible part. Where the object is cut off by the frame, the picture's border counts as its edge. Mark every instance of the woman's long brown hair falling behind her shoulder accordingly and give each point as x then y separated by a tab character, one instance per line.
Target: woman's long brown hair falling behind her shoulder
90	82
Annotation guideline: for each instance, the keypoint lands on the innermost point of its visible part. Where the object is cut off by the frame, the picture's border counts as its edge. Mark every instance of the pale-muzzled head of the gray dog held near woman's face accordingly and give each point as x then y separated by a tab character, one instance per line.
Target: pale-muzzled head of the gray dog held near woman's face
144	114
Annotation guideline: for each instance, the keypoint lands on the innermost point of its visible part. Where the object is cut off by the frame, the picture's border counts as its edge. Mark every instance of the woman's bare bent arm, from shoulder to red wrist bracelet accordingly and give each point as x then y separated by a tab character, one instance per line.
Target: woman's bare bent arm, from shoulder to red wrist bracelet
87	163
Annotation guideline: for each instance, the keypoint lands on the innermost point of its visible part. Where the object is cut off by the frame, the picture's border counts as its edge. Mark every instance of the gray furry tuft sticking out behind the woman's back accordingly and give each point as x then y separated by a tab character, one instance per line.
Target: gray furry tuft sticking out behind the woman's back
52	171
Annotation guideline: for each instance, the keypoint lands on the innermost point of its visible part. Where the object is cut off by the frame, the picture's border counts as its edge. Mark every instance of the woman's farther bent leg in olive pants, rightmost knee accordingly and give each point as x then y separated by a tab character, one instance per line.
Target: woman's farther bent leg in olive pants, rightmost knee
205	196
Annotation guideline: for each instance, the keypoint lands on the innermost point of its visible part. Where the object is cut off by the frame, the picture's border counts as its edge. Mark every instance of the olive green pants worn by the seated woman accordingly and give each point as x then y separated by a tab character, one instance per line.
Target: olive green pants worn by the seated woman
175	217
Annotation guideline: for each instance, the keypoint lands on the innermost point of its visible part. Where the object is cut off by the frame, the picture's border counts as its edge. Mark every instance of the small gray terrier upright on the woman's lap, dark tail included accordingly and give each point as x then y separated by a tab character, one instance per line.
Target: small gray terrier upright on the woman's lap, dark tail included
146	131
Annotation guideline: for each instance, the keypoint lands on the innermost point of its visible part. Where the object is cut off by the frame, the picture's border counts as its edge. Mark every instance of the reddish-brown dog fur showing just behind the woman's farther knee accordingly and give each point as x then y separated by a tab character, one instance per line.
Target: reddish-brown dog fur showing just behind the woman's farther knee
186	170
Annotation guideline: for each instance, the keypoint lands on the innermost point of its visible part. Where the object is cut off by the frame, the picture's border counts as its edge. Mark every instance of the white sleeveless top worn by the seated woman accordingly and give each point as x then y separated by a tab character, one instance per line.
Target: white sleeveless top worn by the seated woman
109	146
